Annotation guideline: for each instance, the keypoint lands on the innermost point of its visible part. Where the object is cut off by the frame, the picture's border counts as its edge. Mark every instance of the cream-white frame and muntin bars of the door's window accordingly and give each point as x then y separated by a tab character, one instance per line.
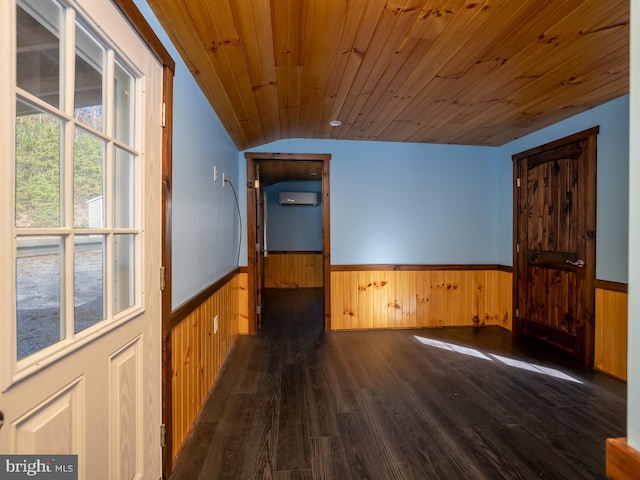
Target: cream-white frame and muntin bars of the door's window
14	370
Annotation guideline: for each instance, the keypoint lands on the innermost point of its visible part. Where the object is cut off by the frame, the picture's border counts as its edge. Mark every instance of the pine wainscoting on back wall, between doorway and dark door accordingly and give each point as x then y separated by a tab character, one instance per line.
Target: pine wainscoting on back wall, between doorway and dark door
404	298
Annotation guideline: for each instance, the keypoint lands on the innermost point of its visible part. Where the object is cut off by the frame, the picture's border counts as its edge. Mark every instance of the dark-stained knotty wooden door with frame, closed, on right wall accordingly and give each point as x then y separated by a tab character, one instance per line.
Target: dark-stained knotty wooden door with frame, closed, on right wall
555	207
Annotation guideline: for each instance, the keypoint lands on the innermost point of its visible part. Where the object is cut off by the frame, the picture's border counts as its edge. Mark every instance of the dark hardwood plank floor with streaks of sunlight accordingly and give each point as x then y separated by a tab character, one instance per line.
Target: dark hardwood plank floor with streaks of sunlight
294	402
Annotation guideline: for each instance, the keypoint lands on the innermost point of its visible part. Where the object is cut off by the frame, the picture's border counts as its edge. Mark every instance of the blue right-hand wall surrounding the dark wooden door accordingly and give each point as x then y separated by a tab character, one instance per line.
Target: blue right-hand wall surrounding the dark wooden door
612	184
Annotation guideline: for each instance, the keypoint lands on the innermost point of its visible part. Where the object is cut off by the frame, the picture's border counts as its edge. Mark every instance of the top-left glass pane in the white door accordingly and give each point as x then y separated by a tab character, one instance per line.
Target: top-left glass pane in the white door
38	58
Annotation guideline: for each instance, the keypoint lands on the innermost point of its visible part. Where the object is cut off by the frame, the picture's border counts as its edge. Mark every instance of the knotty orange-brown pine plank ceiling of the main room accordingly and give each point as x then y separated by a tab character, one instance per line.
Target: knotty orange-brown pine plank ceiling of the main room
435	71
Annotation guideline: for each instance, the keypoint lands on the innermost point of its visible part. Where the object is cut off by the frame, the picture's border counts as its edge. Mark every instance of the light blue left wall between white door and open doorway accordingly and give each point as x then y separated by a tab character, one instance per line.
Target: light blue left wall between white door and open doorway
206	224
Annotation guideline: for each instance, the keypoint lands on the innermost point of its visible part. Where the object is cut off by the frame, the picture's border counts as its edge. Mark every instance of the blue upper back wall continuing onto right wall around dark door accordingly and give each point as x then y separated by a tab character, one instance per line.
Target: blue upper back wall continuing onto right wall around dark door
413	203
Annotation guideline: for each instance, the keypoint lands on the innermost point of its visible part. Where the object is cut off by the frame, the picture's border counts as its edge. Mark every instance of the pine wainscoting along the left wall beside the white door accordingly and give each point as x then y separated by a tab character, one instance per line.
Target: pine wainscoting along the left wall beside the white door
198	353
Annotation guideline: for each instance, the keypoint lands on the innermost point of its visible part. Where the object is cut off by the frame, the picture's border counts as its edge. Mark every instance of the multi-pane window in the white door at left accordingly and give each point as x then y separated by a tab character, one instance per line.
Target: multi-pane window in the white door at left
77	180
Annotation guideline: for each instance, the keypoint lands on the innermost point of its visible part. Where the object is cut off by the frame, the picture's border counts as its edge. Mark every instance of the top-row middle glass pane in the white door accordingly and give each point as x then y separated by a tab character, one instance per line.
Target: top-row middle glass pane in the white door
88	87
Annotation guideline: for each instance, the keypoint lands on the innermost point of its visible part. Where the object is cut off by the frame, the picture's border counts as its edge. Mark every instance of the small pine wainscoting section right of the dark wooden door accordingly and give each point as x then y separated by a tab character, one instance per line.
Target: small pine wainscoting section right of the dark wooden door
610	349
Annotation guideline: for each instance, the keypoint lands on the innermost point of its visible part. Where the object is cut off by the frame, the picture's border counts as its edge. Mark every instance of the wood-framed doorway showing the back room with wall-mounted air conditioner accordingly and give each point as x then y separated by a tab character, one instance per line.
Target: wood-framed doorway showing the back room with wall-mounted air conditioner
288	245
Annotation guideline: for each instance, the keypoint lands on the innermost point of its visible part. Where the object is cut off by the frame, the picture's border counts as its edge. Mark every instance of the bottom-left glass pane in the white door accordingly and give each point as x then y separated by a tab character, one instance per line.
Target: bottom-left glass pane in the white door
38	294
